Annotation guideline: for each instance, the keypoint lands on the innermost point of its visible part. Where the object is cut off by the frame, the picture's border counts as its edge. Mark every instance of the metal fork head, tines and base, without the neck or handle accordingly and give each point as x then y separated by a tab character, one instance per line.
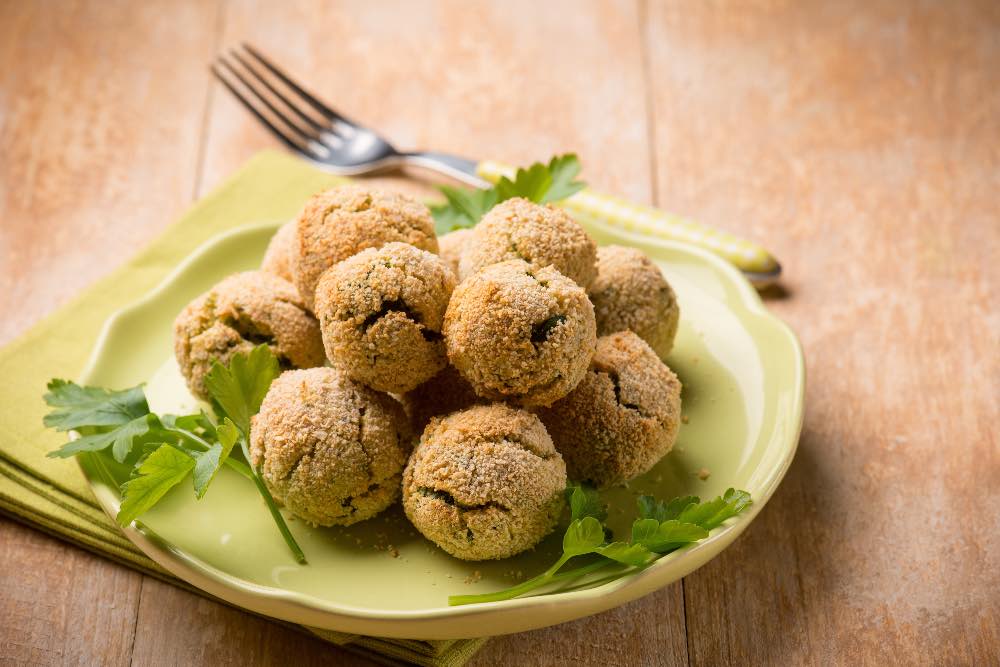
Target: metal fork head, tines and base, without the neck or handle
299	119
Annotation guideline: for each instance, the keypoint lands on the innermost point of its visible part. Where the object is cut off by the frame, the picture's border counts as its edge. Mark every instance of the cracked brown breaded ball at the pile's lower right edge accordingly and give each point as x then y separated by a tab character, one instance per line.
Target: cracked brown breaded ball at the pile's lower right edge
623	416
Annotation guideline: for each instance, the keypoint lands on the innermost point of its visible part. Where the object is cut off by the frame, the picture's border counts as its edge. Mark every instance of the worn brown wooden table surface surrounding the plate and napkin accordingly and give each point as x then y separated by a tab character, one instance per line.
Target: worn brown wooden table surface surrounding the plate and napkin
859	140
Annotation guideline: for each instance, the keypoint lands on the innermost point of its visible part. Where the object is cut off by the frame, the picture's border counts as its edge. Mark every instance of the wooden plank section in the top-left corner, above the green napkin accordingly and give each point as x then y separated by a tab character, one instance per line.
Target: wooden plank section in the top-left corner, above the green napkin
101	113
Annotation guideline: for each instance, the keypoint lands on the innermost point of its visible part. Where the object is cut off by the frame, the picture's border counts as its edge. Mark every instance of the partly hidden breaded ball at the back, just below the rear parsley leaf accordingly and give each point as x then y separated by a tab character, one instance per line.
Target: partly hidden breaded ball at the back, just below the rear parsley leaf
539	235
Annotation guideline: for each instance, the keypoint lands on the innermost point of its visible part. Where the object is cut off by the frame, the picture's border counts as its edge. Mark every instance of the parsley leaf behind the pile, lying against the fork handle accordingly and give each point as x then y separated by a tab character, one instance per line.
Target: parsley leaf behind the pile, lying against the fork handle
541	183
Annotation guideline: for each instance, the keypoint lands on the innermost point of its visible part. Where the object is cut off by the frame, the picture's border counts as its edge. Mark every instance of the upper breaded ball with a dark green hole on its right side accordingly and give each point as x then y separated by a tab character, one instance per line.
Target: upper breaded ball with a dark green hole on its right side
519	333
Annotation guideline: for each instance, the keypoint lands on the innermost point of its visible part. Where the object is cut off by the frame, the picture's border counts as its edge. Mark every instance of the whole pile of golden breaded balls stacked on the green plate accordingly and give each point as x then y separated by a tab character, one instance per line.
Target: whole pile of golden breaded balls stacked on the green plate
472	374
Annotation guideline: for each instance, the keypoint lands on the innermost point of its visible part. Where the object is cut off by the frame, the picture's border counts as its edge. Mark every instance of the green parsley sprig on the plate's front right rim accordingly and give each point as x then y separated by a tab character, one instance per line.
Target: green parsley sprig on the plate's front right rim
662	527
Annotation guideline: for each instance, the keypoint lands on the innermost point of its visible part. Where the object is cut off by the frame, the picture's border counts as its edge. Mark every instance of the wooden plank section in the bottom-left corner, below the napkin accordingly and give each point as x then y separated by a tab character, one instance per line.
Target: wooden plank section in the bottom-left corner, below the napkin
60	605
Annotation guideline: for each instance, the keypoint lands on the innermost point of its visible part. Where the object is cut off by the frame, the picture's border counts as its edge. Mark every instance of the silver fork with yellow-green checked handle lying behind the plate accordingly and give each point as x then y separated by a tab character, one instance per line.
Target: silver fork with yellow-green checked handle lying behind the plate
327	138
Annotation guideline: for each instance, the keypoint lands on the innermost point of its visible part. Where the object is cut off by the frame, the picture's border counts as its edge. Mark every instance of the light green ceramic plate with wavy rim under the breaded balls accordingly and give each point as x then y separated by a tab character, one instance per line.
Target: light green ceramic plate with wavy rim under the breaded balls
742	371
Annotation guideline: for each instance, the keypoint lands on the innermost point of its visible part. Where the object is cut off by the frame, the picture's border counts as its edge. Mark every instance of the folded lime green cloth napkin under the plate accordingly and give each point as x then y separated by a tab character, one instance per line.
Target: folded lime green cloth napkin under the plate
51	494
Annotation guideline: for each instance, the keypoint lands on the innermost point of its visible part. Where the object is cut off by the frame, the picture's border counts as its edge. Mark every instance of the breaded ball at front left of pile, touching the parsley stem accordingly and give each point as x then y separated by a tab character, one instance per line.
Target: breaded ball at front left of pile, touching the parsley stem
328	448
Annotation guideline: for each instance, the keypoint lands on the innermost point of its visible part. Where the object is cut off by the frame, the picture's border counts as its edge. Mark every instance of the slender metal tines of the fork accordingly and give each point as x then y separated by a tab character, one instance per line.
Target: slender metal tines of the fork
295	116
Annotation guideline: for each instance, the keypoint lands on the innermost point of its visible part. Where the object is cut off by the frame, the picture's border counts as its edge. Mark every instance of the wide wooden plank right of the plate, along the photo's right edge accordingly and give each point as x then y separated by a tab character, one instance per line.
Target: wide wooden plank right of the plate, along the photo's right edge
859	141
